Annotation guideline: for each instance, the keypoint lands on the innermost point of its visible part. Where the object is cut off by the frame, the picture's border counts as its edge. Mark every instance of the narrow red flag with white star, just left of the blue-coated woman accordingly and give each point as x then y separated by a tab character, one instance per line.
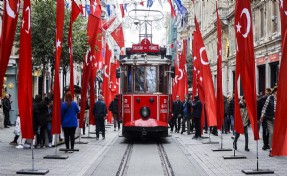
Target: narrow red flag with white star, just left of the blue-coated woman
56	122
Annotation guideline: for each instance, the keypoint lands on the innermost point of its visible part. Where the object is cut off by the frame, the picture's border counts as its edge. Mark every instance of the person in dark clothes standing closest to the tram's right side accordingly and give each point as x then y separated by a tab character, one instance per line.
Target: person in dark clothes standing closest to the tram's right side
176	113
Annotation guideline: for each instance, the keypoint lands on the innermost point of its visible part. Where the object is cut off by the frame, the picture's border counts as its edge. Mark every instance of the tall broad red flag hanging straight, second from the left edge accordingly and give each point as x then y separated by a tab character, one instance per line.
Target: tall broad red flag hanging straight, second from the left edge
25	74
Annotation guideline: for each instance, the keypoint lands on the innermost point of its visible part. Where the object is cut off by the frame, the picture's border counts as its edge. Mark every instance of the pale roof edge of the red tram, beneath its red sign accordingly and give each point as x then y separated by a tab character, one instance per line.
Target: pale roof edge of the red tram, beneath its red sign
143	59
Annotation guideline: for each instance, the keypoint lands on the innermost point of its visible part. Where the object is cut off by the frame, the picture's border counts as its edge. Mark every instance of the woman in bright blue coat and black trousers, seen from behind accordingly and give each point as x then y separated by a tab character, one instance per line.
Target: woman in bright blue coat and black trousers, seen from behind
69	111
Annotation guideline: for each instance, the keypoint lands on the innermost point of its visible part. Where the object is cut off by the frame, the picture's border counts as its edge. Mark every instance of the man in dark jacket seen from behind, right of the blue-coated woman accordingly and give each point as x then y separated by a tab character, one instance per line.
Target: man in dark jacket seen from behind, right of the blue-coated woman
100	112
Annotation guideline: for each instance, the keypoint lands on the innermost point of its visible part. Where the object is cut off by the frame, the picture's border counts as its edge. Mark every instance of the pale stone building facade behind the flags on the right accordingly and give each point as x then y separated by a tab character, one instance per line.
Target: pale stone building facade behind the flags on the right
267	40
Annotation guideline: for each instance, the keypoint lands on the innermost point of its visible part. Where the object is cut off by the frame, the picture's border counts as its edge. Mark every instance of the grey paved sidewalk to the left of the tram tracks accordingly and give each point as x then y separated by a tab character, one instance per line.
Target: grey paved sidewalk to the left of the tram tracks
13	159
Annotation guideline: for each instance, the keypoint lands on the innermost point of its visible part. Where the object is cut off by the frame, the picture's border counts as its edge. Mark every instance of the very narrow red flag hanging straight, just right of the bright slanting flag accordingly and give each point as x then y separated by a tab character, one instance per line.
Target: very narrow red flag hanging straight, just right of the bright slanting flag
219	94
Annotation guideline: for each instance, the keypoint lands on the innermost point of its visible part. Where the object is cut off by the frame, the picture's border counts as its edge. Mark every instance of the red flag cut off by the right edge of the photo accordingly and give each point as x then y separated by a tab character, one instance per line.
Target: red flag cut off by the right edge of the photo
279	142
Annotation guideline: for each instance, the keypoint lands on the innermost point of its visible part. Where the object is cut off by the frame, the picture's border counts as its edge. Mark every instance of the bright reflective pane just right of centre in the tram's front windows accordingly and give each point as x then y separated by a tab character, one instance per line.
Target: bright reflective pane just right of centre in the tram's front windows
151	78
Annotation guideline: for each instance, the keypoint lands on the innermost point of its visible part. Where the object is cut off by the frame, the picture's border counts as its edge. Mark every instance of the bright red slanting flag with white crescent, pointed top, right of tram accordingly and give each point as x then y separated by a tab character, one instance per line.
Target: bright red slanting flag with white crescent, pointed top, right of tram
206	79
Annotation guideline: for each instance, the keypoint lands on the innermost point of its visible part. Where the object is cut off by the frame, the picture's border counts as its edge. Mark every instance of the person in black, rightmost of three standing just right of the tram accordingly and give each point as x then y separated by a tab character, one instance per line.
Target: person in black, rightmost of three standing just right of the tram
196	115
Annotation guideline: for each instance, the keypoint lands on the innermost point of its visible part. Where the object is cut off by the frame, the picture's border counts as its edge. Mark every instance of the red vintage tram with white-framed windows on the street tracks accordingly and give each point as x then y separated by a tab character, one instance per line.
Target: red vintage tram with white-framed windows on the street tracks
145	90
